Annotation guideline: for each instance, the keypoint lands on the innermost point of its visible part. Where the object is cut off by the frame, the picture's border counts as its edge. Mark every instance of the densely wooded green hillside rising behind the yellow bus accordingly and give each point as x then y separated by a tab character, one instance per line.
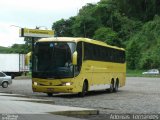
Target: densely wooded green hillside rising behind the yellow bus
132	24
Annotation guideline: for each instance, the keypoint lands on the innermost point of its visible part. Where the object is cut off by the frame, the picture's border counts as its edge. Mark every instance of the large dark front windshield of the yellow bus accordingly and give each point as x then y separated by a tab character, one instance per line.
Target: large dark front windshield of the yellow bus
53	60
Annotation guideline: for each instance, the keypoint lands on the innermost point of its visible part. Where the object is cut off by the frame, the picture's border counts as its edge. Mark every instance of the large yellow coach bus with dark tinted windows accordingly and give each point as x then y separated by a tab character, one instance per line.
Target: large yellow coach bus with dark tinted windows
76	65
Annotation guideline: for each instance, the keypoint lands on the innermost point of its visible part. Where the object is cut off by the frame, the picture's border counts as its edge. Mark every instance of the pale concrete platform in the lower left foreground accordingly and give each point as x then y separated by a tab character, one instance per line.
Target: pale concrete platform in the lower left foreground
19	107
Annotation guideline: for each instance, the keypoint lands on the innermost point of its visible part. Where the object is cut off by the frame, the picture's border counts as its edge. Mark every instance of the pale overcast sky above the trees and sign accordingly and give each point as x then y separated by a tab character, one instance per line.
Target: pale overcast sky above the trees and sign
16	14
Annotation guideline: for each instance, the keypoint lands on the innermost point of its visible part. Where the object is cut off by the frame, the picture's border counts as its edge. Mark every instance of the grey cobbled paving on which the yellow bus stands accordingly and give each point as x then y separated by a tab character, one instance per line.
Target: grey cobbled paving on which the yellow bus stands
140	95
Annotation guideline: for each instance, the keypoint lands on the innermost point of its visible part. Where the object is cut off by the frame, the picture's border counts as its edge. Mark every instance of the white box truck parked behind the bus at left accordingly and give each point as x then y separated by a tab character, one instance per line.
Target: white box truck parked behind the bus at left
13	64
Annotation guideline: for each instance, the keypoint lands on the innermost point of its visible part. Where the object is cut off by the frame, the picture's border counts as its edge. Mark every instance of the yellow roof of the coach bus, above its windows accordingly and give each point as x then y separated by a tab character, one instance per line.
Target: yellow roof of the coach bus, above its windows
76	39
